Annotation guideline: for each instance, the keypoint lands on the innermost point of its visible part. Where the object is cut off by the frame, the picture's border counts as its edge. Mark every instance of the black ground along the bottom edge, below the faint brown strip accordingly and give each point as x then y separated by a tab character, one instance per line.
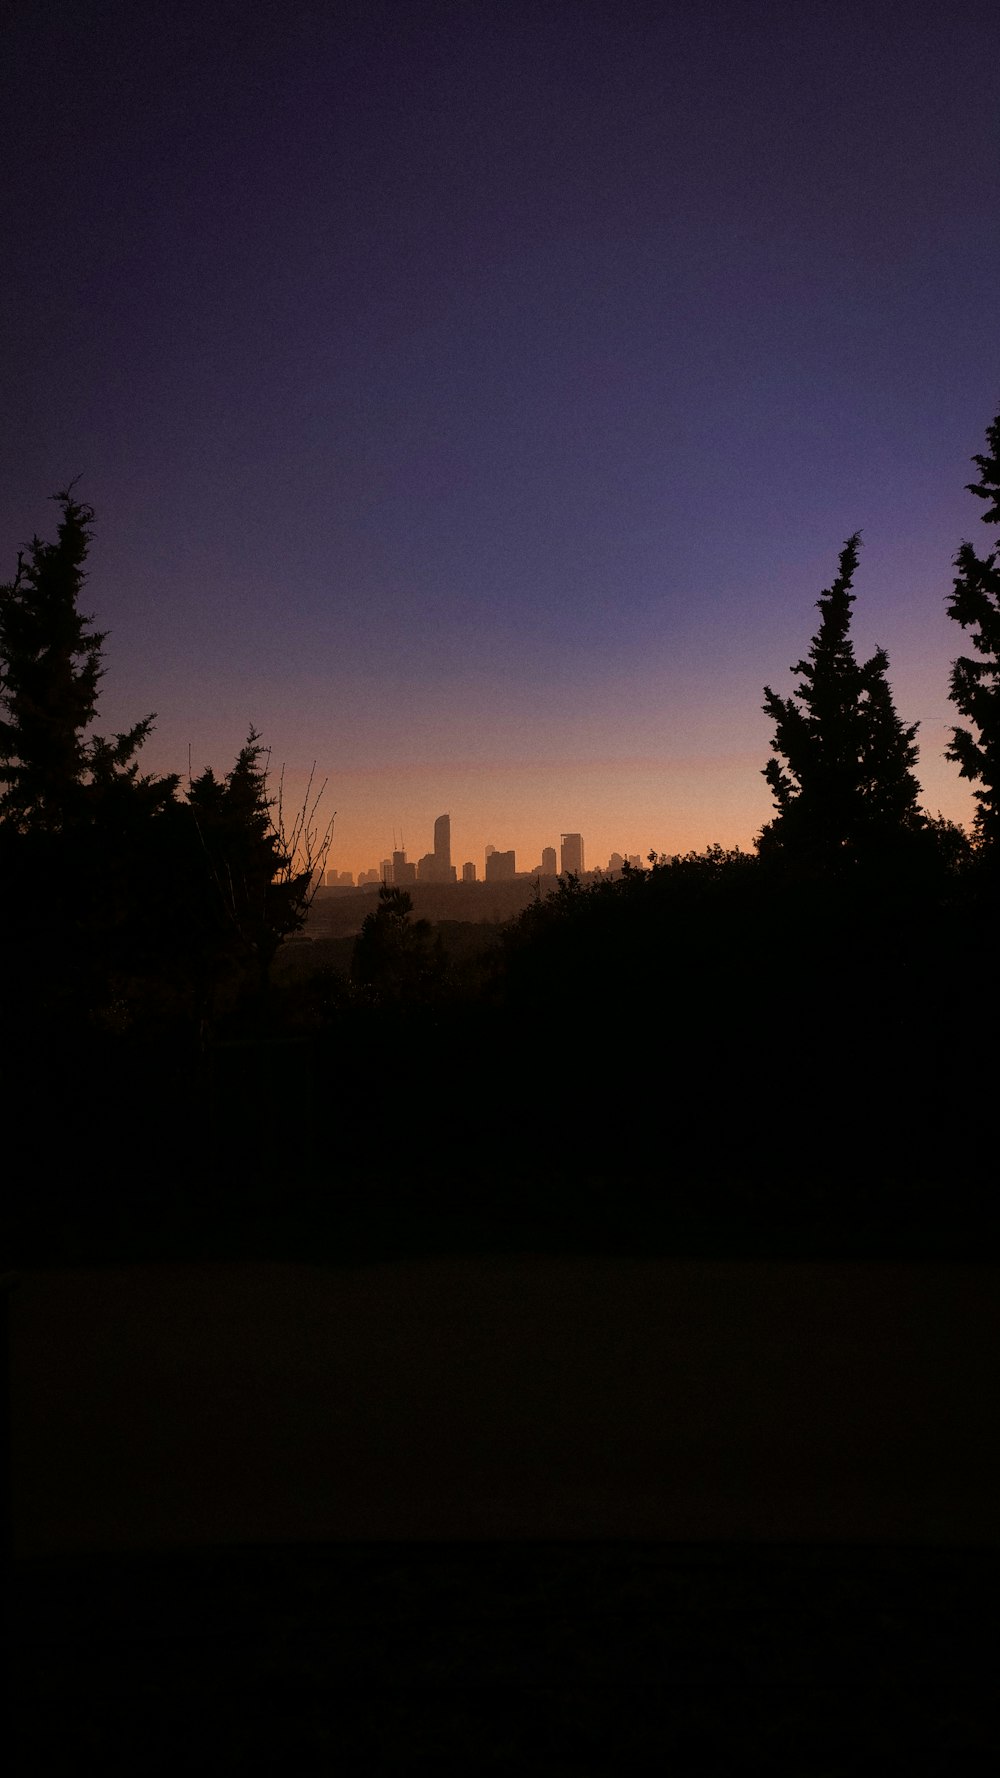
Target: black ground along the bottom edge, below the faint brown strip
506	1658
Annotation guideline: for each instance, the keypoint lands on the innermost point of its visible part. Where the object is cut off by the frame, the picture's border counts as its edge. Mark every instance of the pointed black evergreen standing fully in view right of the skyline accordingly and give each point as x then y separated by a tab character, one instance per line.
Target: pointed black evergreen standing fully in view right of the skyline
843	776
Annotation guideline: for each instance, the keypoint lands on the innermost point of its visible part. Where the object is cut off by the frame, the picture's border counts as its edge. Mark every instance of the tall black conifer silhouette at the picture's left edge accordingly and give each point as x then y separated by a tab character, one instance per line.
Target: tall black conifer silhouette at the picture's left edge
79	824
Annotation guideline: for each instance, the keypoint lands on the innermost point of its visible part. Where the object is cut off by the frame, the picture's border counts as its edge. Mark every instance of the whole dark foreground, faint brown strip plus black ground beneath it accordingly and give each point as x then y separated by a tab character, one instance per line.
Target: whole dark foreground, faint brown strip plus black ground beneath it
503	1516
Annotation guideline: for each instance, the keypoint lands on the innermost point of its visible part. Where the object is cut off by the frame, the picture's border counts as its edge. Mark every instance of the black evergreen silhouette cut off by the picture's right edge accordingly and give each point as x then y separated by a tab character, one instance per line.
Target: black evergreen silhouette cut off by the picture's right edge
976	684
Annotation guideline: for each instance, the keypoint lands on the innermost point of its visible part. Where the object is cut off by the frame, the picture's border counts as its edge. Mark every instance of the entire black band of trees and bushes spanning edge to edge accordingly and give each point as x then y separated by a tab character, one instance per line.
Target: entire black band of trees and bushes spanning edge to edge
810	1018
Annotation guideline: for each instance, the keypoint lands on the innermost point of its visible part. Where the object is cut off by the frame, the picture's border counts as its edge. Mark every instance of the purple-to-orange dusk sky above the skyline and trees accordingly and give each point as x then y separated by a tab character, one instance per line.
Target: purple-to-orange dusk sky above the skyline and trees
476	397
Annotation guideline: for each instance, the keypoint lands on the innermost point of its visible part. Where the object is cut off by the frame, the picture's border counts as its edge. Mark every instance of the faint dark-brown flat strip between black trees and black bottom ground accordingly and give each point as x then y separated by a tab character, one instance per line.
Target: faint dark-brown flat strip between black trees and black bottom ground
490	1398
